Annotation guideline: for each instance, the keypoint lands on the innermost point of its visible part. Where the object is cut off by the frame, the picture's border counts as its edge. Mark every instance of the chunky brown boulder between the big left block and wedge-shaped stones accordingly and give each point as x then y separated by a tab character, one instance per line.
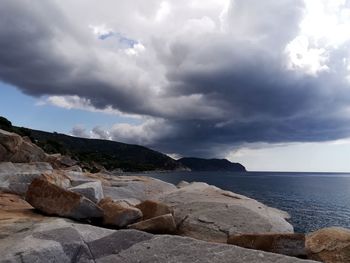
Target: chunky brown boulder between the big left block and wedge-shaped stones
119	214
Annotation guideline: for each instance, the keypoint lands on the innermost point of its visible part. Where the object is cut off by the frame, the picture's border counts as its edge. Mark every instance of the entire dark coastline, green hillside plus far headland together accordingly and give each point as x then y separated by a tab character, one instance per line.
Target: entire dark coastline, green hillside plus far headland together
94	155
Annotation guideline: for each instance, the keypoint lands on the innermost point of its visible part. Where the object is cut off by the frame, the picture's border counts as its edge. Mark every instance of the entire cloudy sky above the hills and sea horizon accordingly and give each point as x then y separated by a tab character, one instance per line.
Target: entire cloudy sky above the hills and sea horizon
264	83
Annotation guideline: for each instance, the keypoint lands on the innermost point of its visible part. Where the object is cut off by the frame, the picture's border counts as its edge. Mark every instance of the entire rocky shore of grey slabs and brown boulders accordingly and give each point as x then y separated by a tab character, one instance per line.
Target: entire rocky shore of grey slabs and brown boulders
52	211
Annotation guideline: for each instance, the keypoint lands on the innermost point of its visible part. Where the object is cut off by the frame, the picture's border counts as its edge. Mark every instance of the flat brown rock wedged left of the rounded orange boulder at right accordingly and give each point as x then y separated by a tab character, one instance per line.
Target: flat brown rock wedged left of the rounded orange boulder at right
286	244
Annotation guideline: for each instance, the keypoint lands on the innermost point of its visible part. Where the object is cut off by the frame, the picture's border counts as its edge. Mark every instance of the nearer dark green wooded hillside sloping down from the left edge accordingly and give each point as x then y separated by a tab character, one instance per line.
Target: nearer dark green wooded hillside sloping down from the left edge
92	152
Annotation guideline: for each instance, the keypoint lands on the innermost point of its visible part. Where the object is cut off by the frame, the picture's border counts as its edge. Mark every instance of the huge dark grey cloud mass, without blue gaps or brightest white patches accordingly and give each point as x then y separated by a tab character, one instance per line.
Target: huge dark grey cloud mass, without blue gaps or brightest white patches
206	81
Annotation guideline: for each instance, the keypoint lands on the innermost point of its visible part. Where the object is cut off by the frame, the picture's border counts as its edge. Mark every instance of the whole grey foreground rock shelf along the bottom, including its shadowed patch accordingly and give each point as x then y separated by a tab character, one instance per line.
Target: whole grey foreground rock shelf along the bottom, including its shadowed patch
59	240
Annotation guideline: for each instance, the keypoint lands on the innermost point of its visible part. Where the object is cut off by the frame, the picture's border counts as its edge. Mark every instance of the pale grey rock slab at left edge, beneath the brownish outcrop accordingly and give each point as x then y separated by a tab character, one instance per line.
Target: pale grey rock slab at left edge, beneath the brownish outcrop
16	177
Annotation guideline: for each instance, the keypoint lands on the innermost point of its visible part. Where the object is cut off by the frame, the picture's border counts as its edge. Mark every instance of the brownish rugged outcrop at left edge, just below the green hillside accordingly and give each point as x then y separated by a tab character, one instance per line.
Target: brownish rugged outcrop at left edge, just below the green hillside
16	149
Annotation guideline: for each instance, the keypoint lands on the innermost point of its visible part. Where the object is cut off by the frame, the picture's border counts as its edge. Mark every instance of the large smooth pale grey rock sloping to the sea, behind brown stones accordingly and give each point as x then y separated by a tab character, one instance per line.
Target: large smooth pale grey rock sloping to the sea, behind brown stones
209	213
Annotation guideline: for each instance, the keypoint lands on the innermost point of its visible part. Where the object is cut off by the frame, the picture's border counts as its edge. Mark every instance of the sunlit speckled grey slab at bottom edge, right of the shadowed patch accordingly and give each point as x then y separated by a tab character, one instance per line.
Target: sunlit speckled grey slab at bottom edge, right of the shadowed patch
173	249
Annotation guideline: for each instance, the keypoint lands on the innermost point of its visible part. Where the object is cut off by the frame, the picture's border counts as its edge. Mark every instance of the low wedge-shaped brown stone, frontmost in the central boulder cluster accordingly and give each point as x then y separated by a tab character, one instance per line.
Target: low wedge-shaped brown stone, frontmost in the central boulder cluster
164	224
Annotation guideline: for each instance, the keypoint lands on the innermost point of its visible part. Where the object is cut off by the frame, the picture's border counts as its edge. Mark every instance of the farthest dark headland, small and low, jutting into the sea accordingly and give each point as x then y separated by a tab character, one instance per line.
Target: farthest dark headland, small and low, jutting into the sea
199	164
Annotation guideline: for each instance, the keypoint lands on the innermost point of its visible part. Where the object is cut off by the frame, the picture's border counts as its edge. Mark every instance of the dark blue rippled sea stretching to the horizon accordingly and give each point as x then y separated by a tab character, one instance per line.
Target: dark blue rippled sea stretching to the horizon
314	200
